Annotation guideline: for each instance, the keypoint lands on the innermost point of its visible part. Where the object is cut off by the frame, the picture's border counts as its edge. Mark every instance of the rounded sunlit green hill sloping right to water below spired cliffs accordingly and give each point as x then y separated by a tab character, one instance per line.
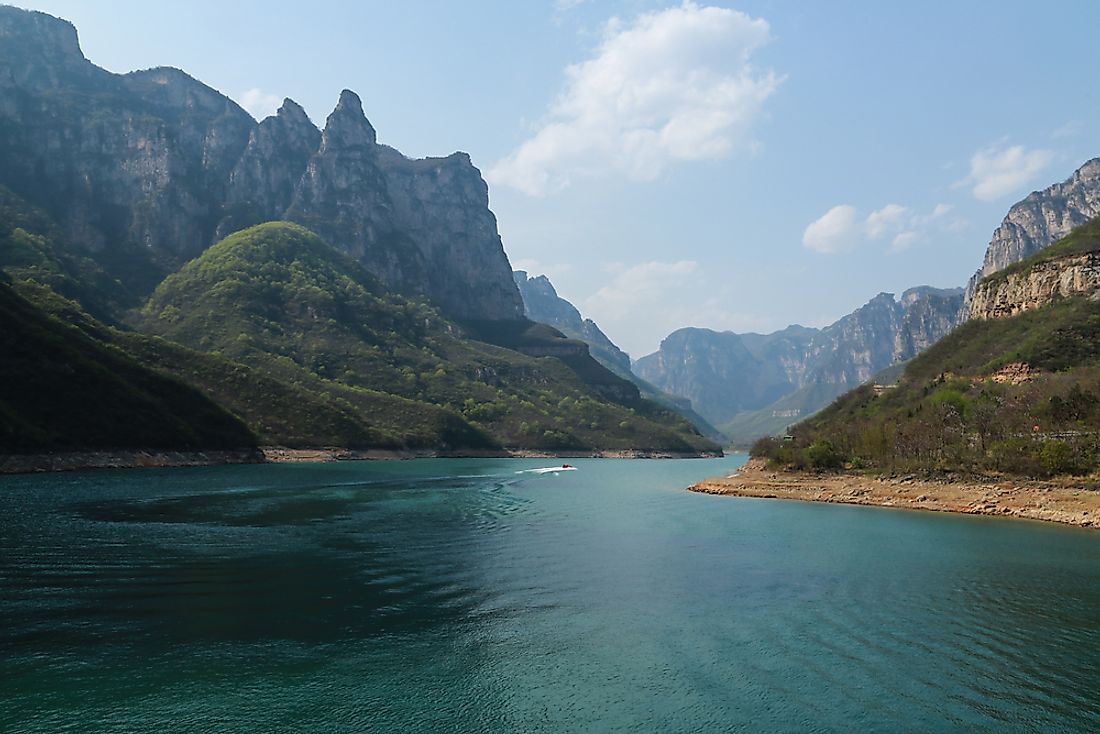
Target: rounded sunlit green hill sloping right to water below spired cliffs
280	300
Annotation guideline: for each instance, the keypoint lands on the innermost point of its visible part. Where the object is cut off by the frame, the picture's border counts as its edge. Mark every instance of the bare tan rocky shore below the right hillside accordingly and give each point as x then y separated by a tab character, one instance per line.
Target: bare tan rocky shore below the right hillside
1050	501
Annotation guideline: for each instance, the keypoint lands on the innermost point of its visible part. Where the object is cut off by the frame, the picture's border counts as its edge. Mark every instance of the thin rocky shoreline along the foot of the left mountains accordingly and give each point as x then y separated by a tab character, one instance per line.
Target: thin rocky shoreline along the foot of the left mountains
30	464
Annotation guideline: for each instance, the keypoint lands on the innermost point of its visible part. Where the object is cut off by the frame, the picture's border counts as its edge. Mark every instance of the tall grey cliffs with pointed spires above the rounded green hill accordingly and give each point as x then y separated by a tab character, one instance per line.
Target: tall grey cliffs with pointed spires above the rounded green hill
147	170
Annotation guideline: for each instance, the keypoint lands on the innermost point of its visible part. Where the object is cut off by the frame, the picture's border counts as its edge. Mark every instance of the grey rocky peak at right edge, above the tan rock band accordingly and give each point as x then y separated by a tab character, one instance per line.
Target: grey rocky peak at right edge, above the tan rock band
1041	220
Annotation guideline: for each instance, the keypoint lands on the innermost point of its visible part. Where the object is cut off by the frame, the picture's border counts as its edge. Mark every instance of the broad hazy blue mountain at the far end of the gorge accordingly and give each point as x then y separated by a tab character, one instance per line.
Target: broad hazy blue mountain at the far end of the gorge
755	385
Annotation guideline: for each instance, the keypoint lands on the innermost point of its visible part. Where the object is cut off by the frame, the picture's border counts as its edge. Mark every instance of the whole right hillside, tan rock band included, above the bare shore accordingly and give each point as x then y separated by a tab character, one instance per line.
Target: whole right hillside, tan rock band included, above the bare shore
1015	390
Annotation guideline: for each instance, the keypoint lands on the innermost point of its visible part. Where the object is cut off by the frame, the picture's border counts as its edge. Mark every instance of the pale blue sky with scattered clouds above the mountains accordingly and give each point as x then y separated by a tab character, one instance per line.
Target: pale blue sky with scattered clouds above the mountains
730	166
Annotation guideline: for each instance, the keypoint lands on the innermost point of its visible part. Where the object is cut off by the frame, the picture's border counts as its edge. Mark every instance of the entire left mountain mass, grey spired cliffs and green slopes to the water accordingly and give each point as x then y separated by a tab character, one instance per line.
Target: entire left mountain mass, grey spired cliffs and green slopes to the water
310	286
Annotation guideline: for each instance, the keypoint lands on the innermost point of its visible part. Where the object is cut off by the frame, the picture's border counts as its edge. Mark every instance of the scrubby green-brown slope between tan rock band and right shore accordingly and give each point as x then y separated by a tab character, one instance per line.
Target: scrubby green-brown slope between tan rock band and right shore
949	414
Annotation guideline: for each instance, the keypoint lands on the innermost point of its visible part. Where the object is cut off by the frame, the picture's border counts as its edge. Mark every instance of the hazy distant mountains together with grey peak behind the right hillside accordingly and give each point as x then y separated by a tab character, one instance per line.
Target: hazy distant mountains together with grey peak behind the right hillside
753	386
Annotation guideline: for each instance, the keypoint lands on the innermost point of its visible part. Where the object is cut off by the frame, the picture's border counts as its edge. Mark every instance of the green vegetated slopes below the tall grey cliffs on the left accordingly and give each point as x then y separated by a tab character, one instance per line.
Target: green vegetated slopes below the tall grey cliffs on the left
304	347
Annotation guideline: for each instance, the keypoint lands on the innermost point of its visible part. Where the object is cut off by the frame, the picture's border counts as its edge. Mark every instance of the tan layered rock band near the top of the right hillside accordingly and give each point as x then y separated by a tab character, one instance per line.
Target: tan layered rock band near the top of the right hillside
1077	276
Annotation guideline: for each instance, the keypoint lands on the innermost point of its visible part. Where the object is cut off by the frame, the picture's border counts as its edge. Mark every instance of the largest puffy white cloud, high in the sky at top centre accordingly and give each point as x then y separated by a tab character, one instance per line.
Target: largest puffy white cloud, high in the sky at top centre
673	85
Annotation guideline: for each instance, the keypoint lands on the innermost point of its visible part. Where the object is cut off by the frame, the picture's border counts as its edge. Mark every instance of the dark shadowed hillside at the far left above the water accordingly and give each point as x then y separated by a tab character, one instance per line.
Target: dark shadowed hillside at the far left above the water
62	390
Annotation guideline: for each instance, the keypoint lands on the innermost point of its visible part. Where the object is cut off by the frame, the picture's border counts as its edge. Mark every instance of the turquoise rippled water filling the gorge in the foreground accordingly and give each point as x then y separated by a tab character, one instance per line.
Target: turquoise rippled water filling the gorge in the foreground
457	596
